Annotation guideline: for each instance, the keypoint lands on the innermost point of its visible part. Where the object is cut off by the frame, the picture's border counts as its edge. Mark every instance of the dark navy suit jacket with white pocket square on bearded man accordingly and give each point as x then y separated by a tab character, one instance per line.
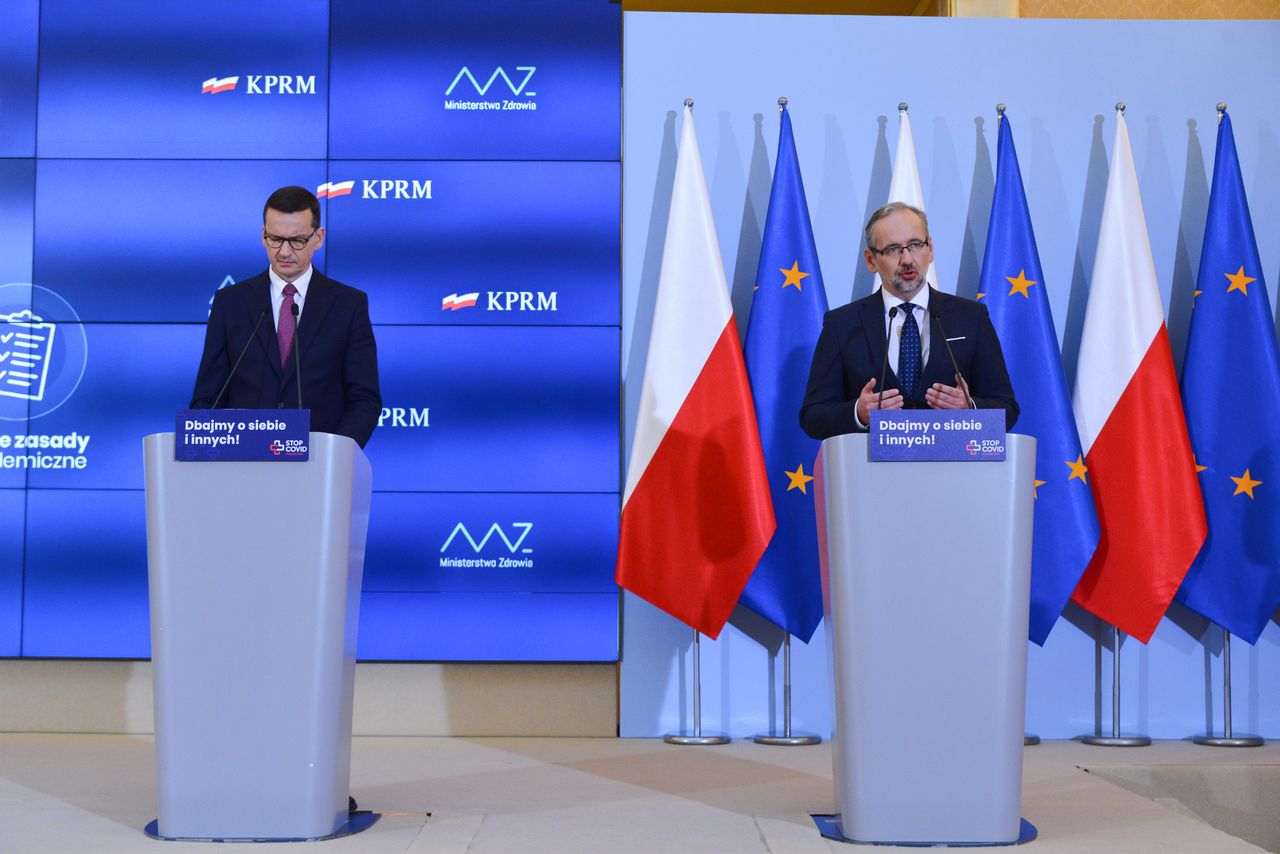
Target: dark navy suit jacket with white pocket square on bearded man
852	350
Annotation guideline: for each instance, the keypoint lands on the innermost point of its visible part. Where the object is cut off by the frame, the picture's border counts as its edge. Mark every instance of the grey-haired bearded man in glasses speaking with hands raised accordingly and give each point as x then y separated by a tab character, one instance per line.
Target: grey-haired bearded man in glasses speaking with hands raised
916	318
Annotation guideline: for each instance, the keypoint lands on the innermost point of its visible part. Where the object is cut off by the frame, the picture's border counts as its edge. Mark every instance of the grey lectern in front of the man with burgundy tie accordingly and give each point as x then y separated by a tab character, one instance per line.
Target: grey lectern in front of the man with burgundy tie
255	572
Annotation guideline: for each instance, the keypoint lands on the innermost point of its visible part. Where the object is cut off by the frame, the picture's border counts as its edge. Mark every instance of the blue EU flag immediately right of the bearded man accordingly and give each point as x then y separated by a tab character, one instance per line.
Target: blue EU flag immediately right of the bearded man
1013	289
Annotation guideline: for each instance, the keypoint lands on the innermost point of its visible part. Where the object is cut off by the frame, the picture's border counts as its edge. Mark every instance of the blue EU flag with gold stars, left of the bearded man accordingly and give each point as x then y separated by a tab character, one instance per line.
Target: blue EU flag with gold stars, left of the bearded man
787	318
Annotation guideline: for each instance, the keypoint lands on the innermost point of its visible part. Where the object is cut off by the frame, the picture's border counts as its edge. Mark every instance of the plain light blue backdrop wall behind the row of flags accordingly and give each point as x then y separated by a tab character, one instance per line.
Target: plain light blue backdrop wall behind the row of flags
845	77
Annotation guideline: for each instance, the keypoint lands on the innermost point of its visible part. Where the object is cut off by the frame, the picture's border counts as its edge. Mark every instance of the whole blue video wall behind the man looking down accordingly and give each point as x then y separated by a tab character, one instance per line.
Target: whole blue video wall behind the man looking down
134	171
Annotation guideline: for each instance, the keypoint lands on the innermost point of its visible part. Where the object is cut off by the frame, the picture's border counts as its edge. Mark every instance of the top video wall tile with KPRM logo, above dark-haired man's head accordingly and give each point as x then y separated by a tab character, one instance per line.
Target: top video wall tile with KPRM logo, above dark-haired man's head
162	80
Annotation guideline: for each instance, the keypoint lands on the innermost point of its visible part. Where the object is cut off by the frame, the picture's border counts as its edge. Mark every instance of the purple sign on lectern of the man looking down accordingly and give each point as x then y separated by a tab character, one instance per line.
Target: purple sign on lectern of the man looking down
243	436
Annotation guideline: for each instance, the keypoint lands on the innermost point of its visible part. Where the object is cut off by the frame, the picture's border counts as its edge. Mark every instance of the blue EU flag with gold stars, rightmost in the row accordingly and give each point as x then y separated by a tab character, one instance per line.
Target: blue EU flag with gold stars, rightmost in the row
1232	398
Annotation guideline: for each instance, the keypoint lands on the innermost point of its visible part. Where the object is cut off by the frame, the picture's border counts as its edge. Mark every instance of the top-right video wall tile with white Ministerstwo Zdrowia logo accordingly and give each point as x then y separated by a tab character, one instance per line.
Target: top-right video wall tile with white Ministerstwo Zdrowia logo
532	80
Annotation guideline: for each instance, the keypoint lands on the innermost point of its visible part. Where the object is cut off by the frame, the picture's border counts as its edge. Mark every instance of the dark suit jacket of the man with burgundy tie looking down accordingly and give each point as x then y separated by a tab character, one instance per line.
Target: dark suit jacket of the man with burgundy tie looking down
336	350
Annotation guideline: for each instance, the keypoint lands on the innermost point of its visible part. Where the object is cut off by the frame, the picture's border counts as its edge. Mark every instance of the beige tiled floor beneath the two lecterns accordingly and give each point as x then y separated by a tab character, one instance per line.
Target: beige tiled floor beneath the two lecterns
93	794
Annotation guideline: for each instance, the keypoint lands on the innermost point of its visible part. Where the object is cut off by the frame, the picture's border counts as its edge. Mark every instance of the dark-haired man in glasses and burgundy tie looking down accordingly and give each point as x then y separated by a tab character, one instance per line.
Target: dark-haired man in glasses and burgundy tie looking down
292	307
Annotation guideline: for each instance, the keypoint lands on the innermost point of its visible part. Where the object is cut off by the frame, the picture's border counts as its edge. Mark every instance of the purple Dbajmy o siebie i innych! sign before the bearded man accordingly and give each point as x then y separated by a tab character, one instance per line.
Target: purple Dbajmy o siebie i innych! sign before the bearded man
932	436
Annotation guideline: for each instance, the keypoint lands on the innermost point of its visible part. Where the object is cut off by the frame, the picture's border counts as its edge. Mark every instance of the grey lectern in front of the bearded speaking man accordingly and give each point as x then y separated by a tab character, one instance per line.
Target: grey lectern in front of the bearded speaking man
929	578
